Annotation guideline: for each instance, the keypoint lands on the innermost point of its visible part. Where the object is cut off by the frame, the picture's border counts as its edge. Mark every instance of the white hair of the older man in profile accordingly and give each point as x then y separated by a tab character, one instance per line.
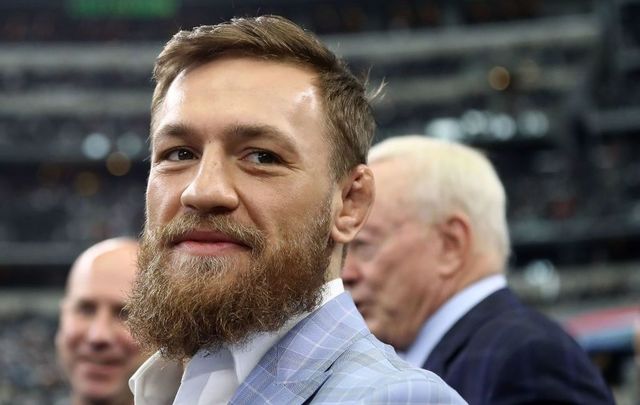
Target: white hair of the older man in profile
447	176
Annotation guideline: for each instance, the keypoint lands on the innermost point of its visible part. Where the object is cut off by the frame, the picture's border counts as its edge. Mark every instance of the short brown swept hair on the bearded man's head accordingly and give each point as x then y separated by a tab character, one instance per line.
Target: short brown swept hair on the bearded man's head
350	122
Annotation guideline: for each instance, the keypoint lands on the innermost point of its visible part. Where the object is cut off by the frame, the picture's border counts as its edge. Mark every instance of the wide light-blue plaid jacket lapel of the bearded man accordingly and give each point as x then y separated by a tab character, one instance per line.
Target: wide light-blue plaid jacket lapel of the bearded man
296	367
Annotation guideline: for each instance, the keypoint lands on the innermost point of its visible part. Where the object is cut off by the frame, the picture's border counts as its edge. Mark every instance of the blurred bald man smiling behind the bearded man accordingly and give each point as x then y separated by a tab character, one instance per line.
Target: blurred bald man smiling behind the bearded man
95	349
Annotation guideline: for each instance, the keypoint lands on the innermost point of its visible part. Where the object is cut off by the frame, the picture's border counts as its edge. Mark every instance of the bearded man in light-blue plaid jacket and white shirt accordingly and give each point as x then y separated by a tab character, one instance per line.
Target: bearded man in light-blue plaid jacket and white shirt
259	136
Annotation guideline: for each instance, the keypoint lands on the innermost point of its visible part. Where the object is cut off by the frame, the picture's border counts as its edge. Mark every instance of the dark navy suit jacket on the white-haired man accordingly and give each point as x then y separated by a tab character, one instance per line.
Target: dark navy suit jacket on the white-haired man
502	352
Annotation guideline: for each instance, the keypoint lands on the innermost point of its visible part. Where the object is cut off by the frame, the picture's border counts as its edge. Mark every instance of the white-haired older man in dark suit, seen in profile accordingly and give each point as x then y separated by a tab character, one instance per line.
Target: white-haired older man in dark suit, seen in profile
427	274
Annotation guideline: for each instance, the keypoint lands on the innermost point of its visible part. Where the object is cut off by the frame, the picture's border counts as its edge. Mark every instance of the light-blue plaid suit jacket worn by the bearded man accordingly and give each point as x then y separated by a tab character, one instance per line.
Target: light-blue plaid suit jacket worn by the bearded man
330	357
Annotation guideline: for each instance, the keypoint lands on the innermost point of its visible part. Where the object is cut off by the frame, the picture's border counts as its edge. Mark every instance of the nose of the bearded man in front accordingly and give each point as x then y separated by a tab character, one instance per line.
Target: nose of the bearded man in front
212	187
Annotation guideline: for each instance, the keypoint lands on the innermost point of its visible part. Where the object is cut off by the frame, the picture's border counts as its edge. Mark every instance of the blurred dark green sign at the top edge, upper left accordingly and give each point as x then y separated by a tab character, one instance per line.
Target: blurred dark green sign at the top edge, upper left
122	8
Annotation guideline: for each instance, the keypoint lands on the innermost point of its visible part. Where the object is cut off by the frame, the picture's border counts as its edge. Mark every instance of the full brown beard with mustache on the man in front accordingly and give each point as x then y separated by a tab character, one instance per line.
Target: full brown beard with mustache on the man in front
179	305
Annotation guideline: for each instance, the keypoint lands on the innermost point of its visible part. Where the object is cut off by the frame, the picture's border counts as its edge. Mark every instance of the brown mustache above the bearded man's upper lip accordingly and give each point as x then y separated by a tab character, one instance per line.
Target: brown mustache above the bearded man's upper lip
167	235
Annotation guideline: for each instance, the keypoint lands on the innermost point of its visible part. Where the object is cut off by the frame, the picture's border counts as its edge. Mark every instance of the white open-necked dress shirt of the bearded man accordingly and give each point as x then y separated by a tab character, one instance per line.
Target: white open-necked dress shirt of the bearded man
210	378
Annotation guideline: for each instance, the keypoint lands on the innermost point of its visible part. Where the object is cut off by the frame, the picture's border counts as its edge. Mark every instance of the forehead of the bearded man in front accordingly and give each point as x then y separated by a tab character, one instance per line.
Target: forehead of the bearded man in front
242	88
